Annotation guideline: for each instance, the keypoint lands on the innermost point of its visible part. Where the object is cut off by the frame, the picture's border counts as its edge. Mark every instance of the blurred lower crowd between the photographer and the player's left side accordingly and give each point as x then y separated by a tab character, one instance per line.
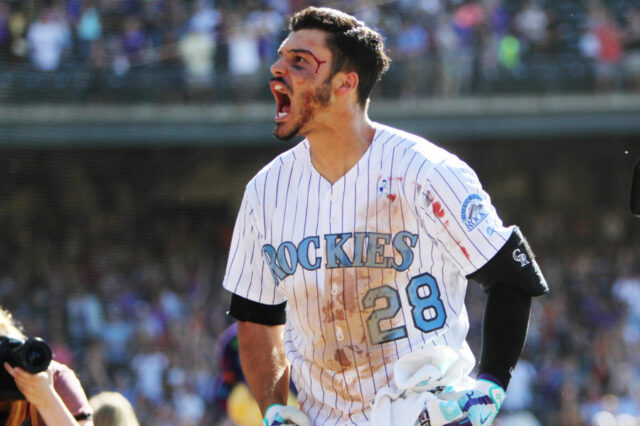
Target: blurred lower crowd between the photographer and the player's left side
142	321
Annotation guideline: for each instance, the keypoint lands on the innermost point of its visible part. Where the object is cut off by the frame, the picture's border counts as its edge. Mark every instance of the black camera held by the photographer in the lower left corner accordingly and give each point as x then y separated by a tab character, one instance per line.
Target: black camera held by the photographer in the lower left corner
32	355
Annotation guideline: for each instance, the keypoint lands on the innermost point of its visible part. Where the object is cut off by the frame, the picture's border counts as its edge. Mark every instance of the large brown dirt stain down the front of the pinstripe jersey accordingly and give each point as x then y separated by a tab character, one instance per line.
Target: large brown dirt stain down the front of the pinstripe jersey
349	350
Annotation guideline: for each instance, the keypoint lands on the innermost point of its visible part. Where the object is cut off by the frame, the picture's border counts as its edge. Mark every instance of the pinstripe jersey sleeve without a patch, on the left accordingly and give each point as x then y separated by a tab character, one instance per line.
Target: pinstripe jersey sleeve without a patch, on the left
247	272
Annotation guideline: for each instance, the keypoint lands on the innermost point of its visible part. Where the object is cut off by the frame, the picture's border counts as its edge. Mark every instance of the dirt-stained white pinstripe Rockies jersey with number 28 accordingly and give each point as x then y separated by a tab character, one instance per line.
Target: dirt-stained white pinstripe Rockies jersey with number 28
372	266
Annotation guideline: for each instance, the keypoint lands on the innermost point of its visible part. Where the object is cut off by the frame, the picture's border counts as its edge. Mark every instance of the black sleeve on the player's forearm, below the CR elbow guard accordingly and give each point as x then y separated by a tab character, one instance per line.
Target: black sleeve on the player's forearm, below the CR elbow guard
504	331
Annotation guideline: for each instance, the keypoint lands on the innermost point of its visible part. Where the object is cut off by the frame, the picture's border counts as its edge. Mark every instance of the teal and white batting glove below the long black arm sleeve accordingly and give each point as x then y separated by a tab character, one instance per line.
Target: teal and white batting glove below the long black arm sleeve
482	402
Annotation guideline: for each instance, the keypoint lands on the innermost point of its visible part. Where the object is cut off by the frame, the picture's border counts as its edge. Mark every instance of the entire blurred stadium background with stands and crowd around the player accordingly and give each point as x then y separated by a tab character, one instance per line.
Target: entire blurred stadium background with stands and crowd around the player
128	129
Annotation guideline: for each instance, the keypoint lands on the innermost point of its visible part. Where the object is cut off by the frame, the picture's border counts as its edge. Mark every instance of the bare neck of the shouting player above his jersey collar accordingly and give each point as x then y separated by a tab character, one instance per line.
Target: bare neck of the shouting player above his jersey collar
337	147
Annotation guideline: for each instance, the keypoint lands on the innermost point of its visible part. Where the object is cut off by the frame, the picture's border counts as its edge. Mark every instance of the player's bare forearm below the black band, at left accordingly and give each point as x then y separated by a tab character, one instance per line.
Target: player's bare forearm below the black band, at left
264	362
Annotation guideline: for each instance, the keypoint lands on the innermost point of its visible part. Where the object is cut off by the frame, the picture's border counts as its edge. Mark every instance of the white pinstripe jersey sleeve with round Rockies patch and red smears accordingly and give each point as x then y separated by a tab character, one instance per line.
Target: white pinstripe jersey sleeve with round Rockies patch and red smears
458	215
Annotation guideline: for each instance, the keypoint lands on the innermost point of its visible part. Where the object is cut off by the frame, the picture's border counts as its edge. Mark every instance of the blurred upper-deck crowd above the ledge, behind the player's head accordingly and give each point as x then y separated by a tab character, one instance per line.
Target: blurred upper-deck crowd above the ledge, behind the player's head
208	50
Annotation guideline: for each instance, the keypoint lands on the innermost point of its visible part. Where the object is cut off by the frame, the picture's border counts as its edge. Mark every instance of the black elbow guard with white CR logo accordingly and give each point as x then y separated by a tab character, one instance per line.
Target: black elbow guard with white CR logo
513	265
